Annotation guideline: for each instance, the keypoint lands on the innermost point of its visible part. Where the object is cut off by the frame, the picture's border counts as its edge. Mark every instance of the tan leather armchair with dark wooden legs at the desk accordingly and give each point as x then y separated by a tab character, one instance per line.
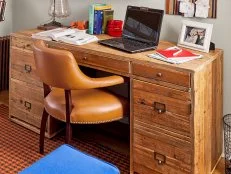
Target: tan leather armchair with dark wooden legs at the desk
74	97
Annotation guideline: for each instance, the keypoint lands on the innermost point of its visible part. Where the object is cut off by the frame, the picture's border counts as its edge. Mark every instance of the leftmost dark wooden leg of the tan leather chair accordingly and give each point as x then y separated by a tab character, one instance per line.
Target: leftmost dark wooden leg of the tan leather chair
42	131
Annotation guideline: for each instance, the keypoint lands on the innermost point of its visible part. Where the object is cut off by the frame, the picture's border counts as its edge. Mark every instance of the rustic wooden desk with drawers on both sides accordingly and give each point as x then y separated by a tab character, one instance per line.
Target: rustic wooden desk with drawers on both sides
176	110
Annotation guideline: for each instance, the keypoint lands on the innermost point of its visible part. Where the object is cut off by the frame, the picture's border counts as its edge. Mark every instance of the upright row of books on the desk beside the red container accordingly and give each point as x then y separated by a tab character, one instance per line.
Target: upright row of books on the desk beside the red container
99	15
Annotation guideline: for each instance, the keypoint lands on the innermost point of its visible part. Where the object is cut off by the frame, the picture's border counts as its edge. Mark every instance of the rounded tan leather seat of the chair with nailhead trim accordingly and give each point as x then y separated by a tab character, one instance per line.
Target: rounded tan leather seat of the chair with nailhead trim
89	106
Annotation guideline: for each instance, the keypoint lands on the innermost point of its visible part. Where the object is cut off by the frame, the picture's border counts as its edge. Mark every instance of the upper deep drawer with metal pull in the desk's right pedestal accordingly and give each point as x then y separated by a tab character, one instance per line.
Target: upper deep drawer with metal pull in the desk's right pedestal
161	106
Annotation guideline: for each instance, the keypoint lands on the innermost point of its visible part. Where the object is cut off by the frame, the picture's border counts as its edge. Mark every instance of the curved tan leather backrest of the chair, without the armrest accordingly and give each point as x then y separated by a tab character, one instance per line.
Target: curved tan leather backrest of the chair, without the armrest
58	68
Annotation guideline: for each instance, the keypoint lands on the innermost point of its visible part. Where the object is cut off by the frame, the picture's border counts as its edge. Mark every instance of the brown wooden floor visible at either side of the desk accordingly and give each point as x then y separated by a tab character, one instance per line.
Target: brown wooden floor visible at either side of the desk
220	167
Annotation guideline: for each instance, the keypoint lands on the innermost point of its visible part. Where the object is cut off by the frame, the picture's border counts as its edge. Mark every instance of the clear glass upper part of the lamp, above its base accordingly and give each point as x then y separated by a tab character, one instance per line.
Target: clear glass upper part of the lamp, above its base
59	8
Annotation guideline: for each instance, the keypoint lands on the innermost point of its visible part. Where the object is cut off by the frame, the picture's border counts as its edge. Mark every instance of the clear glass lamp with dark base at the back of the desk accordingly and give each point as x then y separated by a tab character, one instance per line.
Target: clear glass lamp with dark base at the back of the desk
57	9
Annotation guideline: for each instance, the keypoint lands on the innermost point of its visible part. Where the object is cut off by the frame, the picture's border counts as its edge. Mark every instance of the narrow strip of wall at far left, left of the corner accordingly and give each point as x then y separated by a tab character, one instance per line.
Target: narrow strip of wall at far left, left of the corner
6	26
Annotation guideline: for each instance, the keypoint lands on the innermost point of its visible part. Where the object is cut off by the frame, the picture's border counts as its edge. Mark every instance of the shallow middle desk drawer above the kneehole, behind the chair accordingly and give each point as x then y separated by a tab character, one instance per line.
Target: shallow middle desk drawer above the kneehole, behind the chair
102	62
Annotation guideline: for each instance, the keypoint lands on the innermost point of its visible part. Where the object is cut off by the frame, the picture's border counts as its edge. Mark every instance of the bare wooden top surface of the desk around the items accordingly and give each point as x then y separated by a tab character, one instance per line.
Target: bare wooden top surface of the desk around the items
96	48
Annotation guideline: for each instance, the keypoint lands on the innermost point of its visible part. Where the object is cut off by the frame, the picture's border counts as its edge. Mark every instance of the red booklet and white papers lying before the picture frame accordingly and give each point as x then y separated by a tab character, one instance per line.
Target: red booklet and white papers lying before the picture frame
175	55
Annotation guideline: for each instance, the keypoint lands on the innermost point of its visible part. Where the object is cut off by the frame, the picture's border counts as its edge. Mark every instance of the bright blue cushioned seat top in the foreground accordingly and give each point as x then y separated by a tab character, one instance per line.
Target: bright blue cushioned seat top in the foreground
68	160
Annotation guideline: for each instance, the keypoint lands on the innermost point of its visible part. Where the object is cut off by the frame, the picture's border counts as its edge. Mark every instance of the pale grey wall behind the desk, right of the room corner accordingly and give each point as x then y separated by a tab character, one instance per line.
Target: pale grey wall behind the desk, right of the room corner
30	13
